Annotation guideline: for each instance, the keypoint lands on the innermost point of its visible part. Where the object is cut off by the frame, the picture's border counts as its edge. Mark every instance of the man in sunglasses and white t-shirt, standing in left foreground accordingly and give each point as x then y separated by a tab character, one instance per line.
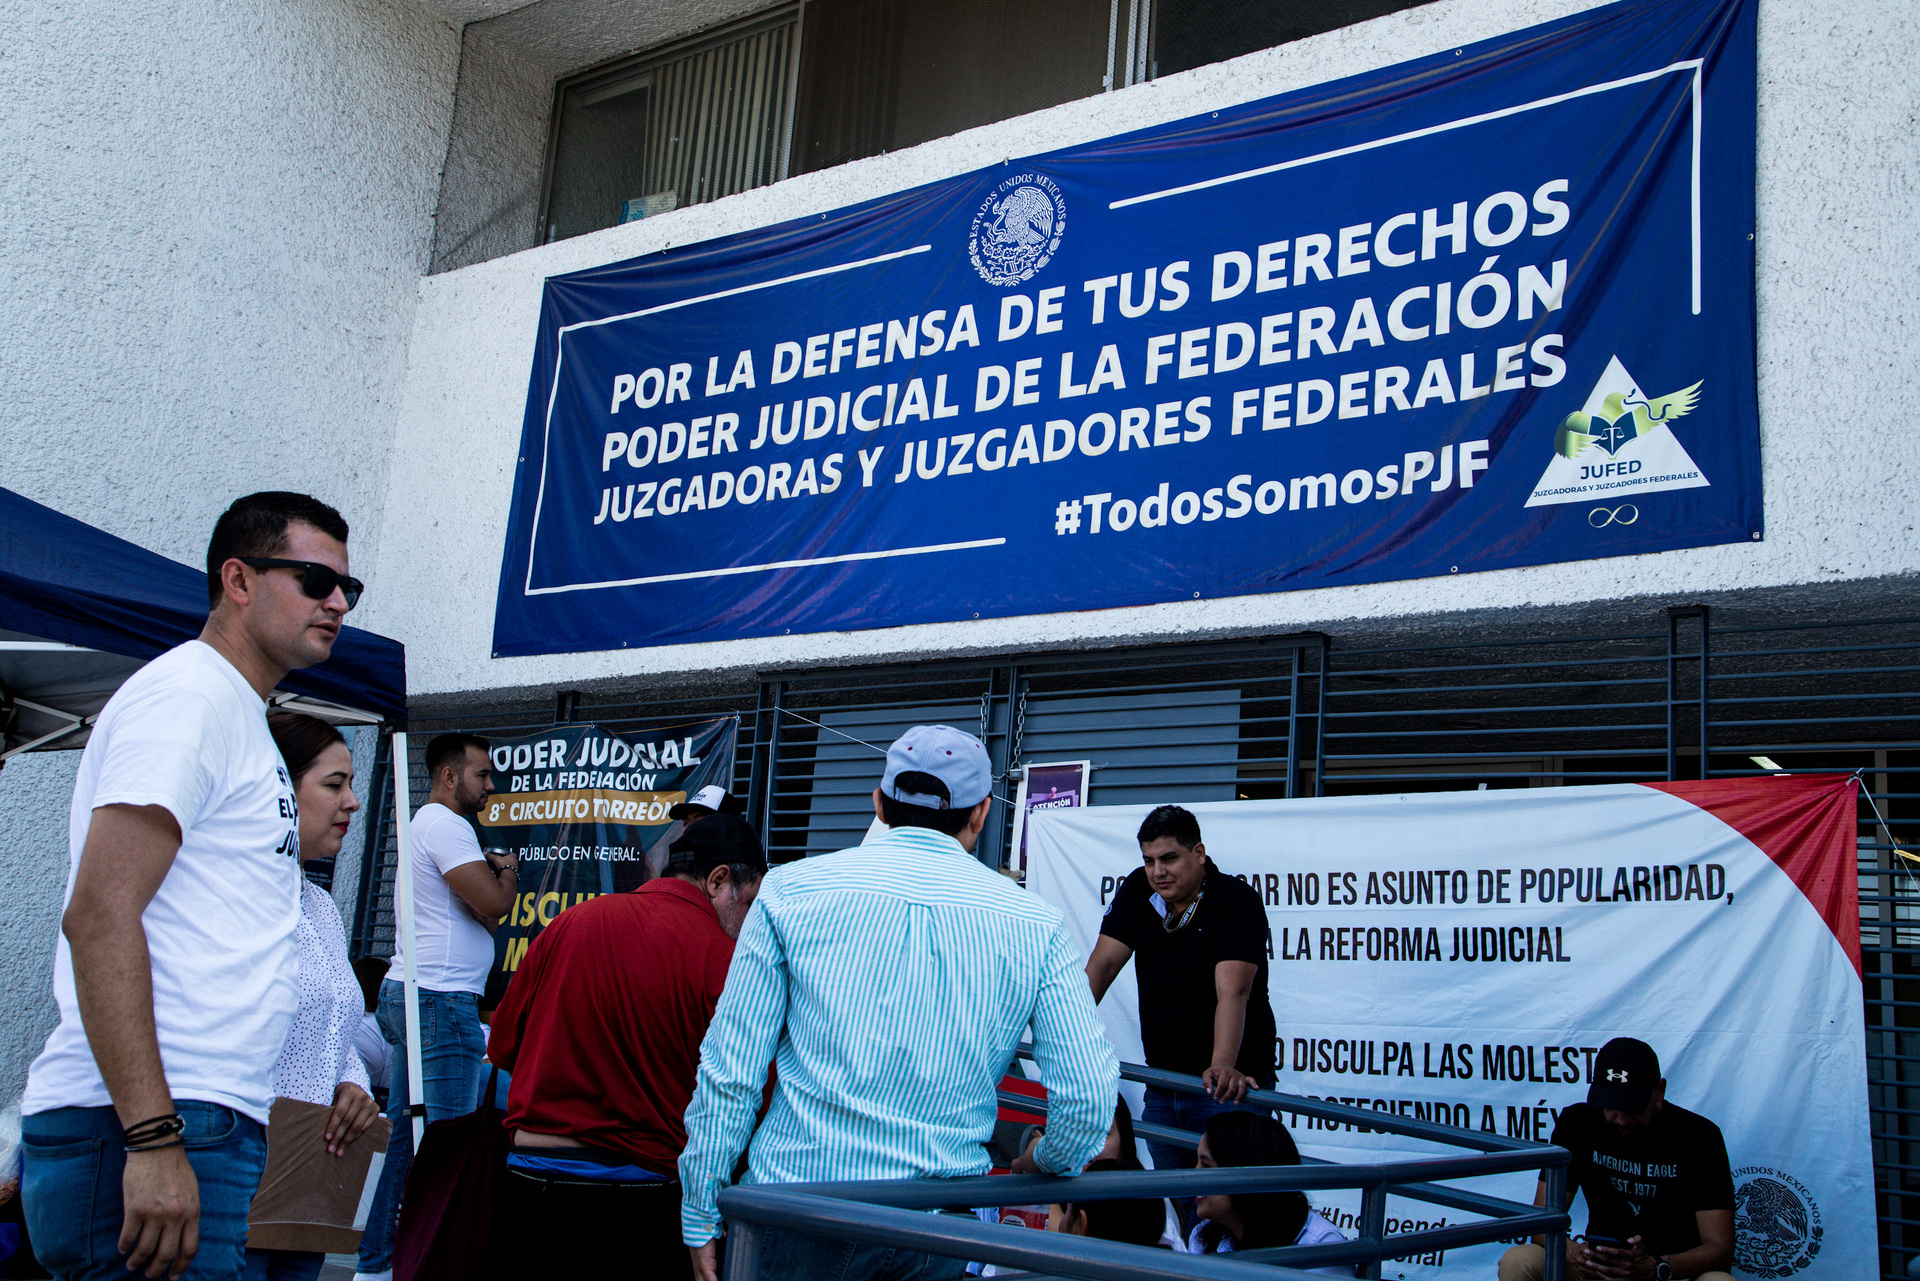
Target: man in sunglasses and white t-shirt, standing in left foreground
178	971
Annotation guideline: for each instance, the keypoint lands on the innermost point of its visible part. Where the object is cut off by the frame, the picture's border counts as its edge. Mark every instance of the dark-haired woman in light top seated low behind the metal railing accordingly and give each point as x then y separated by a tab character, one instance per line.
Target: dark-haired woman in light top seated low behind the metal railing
1257	1221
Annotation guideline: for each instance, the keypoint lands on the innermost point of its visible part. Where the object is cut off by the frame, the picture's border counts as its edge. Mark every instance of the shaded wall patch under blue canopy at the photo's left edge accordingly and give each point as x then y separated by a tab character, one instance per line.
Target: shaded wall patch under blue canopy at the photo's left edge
36	792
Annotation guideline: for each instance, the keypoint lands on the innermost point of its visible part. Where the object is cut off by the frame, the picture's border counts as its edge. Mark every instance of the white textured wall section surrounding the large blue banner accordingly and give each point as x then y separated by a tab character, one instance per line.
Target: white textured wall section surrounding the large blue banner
1838	231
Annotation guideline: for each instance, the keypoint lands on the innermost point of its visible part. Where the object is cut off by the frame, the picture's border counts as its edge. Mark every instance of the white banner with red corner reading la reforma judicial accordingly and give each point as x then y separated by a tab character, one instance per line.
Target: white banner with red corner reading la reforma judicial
1460	957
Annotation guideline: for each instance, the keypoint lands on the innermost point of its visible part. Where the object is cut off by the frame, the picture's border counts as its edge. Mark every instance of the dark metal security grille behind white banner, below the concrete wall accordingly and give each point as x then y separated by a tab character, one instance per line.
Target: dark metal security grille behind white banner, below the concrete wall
1310	715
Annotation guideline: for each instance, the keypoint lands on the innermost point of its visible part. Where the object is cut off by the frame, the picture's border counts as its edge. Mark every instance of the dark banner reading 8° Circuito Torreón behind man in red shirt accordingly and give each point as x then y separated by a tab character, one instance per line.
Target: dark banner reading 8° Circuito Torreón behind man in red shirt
583	808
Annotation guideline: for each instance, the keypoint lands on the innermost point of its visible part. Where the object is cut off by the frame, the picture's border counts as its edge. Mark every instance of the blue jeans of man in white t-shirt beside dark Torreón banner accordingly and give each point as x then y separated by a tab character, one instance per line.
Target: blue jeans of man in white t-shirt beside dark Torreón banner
452	1044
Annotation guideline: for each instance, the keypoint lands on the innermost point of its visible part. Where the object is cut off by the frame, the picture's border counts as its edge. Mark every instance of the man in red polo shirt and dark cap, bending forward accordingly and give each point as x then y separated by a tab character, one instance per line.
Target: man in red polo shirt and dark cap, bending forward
602	1030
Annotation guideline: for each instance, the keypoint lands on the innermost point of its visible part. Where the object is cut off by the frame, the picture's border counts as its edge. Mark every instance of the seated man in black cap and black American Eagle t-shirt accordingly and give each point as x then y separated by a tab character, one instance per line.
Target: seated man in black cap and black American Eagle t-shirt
1660	1194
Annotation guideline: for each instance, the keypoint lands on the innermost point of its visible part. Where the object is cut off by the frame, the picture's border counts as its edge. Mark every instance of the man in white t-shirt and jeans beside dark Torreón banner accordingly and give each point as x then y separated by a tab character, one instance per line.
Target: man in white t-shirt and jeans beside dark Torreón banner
460	894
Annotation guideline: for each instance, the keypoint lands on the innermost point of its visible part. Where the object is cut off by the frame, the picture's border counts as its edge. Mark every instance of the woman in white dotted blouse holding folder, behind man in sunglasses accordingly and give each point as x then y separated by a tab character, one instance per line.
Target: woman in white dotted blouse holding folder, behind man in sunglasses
320	1063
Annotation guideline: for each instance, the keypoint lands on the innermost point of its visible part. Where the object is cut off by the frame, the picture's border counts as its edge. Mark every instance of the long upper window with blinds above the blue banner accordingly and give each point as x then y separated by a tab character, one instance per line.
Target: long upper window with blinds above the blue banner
821	84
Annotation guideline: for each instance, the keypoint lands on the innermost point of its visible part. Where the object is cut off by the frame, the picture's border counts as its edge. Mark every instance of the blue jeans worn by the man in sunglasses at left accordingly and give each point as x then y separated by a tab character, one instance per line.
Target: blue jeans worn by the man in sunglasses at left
72	1188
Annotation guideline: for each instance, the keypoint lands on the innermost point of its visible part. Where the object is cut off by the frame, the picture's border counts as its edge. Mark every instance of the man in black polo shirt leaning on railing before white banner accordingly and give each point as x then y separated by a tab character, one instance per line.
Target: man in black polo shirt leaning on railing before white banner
1203	942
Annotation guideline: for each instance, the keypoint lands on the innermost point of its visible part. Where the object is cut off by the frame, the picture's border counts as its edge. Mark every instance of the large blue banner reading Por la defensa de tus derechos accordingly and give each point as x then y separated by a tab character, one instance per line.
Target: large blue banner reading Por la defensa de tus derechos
1483	310
